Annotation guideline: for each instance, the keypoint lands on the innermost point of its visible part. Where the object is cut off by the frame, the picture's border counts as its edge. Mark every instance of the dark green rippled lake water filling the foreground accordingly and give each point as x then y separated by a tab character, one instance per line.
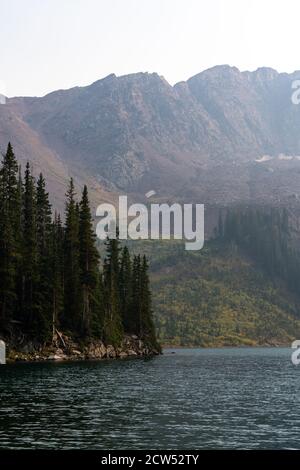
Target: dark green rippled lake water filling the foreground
194	399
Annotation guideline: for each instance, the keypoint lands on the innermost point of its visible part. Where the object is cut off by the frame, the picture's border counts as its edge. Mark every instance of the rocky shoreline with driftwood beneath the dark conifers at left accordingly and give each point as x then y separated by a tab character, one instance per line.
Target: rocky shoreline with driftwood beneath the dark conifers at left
64	348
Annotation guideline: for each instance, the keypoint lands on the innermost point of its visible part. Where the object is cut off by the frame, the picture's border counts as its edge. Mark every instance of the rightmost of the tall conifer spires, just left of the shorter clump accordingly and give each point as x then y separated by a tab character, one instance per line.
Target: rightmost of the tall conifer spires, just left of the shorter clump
88	262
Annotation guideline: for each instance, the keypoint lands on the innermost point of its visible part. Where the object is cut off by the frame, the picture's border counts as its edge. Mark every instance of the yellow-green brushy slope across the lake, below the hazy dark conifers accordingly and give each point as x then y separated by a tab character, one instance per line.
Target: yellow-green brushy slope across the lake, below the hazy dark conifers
218	297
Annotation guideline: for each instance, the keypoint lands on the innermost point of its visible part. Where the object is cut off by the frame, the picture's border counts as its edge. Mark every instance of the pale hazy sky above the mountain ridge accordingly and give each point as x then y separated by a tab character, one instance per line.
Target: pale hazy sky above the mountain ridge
50	44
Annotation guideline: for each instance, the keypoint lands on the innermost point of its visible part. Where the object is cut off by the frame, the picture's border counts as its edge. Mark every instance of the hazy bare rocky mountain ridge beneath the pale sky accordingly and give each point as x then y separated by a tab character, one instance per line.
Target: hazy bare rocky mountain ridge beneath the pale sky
201	140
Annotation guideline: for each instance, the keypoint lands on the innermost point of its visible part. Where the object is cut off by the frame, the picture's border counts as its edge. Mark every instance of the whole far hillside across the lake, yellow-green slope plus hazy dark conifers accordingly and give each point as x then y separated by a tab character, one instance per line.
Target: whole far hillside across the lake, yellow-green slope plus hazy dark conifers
241	289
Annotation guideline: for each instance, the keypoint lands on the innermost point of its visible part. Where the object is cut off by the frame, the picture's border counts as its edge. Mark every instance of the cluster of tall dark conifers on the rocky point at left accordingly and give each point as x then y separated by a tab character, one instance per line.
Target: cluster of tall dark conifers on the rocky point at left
51	277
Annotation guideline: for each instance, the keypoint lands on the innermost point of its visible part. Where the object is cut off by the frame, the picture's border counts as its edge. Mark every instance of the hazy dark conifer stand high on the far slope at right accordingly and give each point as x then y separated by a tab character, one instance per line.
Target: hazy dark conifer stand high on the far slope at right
266	236
